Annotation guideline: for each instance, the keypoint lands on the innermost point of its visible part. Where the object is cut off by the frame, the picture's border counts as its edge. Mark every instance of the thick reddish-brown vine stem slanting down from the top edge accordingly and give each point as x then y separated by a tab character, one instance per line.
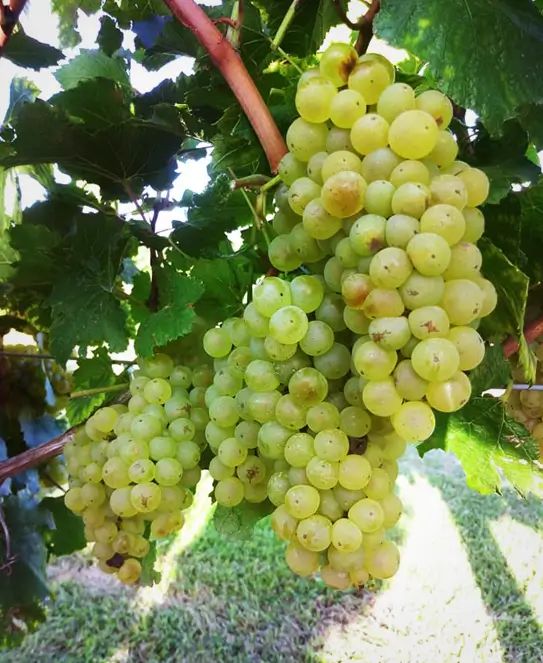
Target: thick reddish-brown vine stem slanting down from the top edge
229	63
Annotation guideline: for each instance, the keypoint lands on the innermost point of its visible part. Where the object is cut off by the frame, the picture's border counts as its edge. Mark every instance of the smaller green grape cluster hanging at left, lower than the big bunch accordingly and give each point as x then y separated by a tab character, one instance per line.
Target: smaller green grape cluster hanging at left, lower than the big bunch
132	467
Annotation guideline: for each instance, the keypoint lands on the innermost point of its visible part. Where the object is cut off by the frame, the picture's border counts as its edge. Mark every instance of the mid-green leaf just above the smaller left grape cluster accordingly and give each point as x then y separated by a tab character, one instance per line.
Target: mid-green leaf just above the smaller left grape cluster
177	295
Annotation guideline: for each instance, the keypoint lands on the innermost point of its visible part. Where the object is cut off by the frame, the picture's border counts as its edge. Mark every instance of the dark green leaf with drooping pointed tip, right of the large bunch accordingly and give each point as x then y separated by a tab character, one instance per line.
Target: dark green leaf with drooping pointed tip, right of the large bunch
512	287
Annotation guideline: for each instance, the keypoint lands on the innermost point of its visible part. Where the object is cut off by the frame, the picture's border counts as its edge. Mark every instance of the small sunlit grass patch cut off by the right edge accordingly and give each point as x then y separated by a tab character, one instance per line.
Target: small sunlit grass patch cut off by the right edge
522	547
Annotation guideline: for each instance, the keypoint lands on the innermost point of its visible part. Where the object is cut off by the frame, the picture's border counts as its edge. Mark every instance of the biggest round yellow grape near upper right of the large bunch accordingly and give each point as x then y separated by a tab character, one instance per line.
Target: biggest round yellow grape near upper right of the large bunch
413	134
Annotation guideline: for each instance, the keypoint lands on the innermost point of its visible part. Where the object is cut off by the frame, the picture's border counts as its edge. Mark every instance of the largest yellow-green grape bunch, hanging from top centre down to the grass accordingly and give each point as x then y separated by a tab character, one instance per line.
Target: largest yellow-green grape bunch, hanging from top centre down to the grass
329	374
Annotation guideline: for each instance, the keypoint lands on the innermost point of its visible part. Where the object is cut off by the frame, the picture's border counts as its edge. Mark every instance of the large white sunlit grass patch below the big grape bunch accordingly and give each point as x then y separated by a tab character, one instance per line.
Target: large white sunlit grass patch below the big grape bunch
432	610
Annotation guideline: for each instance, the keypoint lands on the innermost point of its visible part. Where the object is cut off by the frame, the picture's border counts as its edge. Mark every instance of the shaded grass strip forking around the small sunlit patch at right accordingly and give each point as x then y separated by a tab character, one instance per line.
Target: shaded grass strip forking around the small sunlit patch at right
520	634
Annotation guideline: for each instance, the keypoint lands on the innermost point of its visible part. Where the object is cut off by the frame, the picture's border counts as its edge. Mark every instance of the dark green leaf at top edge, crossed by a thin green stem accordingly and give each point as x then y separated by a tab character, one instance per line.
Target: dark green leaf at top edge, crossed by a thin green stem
309	27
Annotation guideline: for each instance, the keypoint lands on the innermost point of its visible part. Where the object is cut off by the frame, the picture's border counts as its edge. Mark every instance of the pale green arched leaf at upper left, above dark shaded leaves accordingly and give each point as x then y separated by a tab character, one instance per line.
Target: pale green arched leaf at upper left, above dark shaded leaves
92	64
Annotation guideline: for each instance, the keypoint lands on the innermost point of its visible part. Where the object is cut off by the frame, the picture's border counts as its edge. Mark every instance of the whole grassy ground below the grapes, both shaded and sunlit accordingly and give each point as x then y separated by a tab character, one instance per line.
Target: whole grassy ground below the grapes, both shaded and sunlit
469	590
